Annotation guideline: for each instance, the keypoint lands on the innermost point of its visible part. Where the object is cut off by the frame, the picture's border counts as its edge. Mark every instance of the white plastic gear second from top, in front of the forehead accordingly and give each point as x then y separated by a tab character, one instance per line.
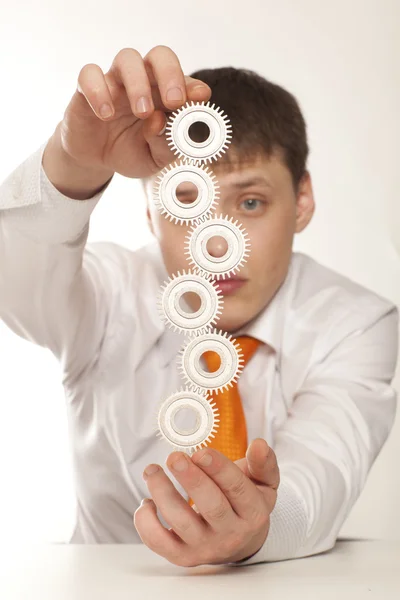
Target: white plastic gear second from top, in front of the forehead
167	183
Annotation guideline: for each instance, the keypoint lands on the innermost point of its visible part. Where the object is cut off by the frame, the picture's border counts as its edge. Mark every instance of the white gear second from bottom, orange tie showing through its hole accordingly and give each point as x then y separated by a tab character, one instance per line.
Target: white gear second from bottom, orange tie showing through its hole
230	354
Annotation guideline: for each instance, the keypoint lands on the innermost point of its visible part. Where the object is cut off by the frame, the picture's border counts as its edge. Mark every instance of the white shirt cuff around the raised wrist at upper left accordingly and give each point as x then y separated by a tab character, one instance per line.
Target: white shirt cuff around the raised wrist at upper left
43	213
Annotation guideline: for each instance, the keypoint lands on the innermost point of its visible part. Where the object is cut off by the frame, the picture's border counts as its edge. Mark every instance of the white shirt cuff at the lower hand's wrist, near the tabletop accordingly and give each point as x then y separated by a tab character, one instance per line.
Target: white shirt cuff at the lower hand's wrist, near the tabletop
288	529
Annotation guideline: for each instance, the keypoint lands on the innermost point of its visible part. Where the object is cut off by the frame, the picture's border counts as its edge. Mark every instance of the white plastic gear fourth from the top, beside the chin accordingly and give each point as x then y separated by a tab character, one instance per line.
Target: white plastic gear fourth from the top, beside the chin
179	319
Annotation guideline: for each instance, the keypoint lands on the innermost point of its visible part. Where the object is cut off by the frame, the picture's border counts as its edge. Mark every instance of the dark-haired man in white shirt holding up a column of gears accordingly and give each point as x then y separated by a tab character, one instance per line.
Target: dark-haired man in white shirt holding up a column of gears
316	394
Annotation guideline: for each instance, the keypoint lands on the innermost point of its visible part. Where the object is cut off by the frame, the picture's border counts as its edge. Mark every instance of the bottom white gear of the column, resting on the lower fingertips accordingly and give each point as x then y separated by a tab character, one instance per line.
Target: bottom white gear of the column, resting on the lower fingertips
187	440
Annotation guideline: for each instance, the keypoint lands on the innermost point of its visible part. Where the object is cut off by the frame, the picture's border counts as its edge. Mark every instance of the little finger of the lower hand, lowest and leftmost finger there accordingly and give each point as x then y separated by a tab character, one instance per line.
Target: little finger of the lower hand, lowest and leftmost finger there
154	535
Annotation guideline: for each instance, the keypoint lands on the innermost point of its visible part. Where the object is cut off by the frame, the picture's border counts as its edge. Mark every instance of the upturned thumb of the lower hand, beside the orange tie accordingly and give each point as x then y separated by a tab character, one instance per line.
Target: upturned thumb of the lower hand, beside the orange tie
262	463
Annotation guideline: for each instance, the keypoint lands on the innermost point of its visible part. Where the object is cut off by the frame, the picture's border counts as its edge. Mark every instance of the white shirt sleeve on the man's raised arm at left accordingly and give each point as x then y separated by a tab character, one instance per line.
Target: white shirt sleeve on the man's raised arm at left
52	292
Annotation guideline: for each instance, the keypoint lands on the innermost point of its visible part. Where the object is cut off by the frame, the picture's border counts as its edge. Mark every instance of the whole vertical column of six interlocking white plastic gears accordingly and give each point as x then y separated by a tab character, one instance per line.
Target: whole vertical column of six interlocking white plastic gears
200	279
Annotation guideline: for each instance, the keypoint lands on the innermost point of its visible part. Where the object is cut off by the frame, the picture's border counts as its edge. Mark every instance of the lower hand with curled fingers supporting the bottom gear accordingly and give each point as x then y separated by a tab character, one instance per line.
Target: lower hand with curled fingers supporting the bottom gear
233	503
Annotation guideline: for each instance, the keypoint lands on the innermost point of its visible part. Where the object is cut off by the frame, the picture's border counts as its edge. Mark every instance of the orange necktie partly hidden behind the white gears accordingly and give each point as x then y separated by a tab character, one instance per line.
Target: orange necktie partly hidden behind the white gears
231	435
